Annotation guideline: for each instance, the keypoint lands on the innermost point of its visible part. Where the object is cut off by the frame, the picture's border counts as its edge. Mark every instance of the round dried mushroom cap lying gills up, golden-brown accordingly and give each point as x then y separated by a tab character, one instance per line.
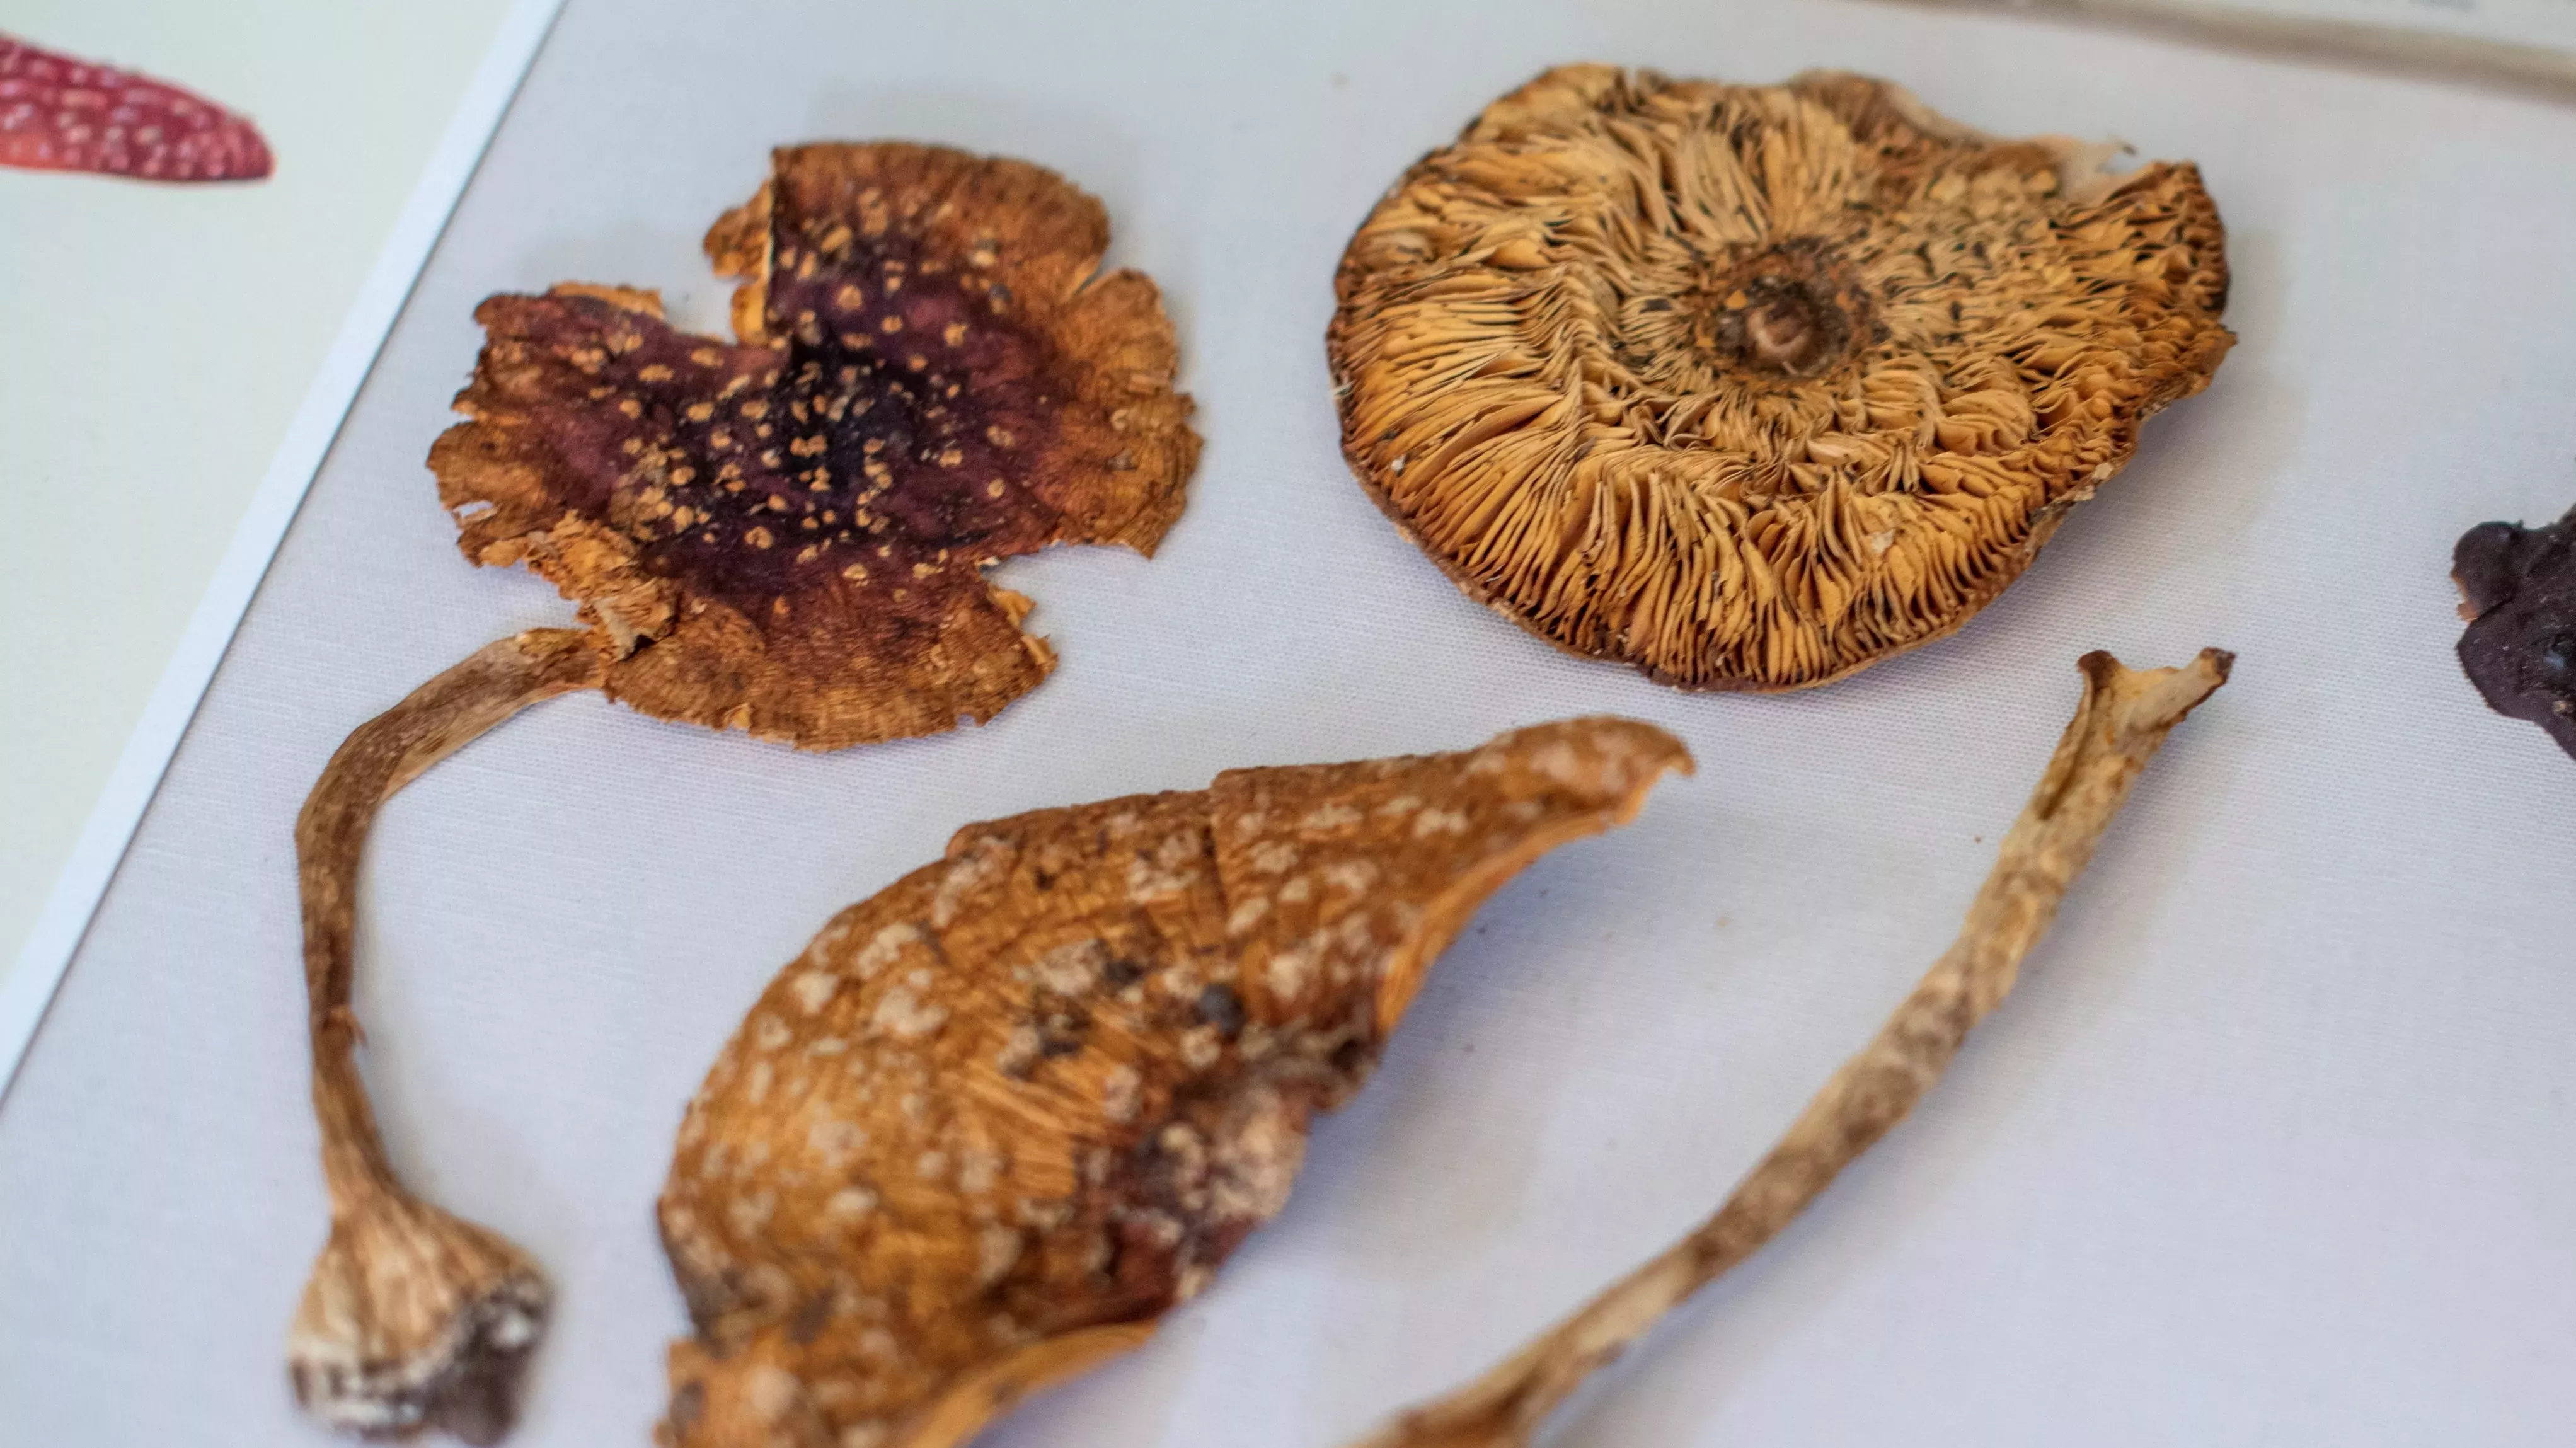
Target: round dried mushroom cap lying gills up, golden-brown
1753	388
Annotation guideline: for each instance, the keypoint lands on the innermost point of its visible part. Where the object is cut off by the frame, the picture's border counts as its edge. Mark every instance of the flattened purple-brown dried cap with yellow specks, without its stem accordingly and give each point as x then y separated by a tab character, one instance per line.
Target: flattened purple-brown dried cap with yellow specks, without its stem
787	535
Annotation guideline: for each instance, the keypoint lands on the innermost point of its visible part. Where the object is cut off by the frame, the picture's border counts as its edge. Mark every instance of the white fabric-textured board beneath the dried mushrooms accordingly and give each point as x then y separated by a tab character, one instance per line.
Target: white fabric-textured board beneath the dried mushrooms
2271	1148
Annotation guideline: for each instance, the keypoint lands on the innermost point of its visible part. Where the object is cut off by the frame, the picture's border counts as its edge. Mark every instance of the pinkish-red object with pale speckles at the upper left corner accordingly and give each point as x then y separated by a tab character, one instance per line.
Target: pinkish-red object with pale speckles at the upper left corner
73	115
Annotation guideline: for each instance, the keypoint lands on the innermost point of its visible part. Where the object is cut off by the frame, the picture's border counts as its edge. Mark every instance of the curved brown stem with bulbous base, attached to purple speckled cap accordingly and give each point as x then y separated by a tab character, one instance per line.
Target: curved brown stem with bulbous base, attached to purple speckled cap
411	1318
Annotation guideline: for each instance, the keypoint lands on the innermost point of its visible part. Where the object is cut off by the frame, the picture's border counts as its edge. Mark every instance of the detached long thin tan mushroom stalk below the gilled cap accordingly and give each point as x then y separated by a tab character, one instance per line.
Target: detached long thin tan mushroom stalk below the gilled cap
2119	725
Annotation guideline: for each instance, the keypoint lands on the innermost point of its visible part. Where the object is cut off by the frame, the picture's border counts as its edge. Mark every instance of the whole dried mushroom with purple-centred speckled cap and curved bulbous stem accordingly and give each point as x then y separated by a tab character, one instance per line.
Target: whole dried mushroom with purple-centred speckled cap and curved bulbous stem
779	535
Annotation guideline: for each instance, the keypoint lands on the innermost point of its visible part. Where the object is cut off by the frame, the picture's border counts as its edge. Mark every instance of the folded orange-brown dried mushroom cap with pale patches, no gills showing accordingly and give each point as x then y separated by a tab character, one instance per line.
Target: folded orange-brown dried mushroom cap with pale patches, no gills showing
1016	1107
